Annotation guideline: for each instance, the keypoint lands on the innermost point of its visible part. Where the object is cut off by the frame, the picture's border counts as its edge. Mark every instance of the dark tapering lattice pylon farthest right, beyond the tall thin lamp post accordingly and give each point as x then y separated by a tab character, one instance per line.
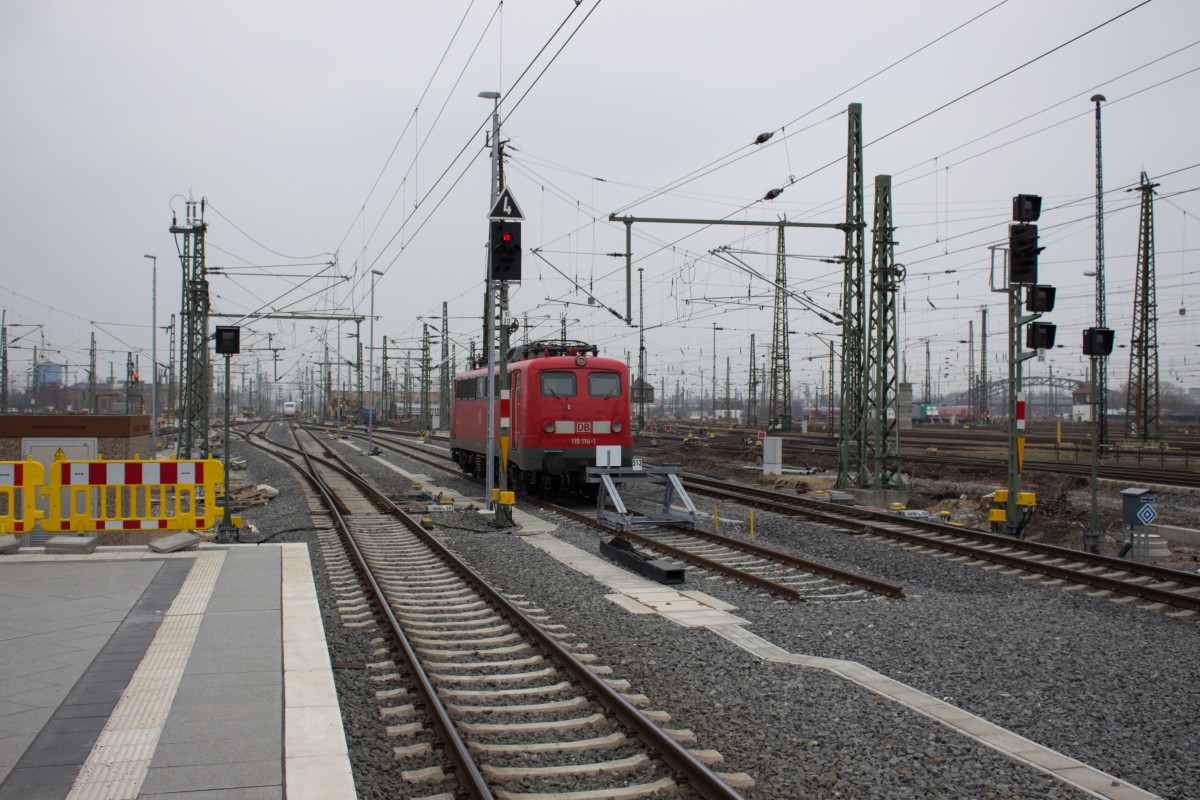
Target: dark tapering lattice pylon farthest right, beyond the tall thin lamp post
1142	411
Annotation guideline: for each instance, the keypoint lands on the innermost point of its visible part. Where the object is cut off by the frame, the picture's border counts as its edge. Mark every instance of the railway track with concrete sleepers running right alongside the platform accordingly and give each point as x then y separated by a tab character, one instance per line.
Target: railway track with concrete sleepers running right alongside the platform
493	700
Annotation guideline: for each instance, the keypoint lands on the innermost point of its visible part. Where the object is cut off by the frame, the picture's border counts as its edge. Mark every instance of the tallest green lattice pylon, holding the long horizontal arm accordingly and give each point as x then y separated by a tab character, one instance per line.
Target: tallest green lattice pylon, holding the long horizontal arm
853	430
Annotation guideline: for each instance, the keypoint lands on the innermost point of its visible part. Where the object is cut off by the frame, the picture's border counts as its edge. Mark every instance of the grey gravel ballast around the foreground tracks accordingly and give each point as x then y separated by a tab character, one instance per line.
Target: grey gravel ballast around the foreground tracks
1108	684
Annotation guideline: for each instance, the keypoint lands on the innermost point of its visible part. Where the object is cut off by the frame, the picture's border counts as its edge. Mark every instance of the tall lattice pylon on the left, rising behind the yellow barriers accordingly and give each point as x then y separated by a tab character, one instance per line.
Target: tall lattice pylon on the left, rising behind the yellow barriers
194	342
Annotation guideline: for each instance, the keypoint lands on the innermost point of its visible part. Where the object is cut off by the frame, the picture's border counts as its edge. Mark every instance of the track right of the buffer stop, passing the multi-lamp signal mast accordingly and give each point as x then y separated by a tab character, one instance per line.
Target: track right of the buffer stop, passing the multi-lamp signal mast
1160	588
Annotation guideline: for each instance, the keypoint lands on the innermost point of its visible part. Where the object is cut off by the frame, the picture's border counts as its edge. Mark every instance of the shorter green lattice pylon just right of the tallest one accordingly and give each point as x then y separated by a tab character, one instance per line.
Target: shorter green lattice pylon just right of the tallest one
883	354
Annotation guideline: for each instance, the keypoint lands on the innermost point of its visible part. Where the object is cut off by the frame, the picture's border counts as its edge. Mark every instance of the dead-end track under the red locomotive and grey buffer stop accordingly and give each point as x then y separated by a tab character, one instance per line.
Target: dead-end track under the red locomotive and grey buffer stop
781	574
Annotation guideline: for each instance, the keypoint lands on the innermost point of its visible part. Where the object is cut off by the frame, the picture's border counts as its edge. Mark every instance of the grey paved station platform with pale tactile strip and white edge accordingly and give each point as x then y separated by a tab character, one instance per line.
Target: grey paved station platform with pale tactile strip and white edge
130	675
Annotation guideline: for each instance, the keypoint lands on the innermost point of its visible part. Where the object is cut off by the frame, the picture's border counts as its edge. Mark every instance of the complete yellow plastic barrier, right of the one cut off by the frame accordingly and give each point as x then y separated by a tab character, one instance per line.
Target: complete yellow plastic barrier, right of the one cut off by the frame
92	496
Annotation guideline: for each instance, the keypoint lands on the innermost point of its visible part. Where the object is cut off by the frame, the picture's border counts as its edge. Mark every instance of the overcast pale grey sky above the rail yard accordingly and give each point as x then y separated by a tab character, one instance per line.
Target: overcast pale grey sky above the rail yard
285	116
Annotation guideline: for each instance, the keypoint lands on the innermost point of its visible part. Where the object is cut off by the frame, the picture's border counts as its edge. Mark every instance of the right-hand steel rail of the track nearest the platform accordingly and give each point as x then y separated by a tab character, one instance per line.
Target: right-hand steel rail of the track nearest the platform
681	760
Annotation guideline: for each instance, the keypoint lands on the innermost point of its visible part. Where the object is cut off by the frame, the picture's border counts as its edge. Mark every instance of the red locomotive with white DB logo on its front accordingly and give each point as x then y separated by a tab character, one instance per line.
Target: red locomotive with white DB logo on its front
566	402
